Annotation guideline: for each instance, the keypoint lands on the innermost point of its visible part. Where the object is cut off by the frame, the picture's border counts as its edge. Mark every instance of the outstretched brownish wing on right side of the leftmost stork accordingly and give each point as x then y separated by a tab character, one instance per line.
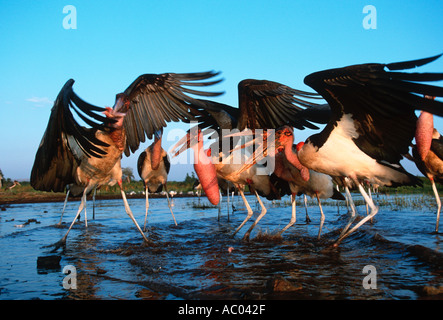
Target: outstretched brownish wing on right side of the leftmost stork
159	98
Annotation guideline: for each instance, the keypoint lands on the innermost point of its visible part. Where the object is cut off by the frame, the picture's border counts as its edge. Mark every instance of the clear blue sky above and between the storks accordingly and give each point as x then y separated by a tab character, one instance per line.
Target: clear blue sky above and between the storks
115	41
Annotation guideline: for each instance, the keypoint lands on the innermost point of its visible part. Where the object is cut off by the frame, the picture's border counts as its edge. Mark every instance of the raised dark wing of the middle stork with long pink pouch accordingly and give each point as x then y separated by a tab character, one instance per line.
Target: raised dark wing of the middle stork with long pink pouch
266	104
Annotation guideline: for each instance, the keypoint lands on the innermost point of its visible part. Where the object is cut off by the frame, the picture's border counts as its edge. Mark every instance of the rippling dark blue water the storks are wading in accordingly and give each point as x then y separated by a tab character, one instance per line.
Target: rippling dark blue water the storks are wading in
199	258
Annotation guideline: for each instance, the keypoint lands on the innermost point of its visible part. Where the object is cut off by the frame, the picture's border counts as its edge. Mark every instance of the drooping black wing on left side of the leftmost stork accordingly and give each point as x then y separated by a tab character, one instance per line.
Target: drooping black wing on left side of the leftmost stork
65	141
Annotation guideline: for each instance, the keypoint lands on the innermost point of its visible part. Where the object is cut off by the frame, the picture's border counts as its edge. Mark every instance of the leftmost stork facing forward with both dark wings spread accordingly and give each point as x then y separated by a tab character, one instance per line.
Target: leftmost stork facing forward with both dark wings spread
91	157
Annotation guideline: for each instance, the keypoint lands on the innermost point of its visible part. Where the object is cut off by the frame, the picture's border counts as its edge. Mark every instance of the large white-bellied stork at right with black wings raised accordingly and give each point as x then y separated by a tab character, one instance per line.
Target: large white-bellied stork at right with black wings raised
372	124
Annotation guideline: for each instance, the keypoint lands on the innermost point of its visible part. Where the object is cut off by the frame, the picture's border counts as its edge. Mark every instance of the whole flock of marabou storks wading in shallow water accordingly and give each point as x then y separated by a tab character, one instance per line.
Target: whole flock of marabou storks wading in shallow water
370	124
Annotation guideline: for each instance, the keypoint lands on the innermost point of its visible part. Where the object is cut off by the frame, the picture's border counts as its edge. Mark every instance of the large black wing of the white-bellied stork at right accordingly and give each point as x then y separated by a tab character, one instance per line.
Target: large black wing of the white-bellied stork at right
381	103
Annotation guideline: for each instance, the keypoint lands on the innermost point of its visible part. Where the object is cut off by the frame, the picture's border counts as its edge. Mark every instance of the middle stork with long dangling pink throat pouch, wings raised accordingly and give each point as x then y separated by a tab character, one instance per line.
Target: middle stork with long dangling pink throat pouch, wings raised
263	104
